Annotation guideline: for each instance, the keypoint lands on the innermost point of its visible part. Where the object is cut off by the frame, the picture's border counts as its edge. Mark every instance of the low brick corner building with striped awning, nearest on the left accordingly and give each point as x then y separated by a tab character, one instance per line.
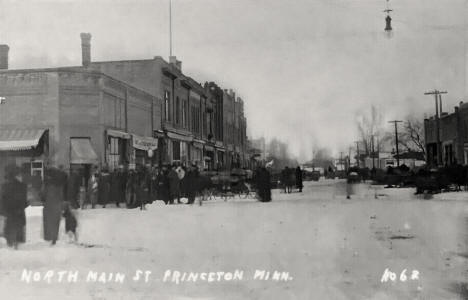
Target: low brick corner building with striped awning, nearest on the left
75	118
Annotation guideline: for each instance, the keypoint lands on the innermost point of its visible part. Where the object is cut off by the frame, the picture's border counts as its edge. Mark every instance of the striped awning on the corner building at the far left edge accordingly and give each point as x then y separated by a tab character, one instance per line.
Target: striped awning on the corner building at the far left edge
20	139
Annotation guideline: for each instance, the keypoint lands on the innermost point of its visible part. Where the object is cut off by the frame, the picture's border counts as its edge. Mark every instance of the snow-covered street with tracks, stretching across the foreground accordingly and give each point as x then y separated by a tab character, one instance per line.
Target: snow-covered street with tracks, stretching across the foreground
331	248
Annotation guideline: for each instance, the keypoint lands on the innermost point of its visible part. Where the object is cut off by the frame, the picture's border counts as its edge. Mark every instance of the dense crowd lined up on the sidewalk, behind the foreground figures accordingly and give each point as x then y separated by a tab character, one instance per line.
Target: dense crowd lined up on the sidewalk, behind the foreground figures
134	188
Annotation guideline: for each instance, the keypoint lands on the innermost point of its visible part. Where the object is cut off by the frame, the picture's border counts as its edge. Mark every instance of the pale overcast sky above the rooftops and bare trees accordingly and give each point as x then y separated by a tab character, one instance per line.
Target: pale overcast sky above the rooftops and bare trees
305	68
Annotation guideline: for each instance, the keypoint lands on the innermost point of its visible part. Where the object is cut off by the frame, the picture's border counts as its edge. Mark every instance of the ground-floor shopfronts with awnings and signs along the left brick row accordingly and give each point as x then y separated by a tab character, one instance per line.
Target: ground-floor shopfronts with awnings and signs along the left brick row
29	148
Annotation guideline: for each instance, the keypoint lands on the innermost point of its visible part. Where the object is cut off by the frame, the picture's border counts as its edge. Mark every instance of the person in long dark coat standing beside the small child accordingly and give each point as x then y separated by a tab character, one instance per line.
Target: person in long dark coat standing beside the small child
55	192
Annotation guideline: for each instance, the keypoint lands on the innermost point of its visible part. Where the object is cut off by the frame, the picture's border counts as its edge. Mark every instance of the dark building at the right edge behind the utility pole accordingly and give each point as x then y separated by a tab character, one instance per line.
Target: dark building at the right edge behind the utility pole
452	146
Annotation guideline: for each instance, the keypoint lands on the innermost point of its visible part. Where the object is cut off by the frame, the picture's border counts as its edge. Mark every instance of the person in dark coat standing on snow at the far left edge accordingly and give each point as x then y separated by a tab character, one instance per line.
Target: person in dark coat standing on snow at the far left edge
14	201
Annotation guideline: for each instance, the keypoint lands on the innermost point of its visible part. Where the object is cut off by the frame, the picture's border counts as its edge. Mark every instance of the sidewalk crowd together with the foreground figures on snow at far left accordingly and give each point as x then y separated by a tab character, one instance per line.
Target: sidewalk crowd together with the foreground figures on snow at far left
60	193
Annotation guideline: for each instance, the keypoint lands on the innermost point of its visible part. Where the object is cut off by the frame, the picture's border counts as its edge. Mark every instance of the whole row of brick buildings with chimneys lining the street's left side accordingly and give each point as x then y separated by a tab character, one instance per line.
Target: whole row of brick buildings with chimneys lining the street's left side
131	112
